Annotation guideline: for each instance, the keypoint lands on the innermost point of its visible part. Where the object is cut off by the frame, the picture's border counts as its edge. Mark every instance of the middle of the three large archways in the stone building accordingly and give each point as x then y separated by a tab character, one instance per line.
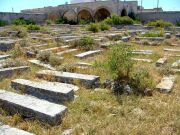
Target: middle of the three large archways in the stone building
84	15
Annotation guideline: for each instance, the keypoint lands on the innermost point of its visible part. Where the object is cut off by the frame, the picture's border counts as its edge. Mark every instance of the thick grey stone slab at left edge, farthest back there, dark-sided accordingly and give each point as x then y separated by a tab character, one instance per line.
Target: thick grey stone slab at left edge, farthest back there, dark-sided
6	45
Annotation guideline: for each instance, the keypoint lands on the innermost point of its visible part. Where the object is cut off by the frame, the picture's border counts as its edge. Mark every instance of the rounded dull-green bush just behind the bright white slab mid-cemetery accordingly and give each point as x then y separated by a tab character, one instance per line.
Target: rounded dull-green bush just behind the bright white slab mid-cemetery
85	43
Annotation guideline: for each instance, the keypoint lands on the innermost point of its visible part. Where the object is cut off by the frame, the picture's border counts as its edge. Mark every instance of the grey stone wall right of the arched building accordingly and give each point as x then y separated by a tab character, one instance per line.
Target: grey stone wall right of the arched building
170	16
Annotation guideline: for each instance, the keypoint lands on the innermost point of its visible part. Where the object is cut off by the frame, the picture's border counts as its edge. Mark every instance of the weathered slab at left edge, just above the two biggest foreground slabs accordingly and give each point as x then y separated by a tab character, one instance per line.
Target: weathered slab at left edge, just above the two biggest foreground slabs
7	72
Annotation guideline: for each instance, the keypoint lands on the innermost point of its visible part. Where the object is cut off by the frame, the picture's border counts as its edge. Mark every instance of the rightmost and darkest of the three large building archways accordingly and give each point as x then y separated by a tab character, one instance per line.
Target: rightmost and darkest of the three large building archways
102	14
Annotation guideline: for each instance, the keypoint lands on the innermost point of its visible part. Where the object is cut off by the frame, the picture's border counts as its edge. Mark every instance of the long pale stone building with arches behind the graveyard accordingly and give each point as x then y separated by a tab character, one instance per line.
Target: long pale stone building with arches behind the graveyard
97	10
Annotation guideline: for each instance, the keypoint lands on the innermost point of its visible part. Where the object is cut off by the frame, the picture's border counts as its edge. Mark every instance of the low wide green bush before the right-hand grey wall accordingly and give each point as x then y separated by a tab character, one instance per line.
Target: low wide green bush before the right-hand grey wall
160	23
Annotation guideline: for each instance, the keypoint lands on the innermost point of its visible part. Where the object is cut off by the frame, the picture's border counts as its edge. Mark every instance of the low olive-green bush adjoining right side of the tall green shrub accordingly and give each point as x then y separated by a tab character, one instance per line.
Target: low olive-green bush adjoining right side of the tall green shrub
141	79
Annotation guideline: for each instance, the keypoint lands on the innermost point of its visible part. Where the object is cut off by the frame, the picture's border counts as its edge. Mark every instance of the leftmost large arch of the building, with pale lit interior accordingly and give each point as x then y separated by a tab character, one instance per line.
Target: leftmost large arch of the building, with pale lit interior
70	15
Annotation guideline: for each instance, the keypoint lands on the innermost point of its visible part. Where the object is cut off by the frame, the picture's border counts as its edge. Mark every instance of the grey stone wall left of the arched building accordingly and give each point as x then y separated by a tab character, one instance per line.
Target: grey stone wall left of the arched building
38	18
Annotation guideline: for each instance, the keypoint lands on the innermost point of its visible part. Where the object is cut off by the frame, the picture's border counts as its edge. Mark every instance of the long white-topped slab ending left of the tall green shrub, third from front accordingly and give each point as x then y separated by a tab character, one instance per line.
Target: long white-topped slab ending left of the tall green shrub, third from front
67	77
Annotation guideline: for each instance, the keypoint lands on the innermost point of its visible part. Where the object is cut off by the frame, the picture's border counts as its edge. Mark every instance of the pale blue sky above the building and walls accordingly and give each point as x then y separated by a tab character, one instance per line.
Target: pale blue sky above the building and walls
17	5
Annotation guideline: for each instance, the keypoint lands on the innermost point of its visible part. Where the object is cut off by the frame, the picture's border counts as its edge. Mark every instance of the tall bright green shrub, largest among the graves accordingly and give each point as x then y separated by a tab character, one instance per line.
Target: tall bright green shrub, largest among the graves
119	61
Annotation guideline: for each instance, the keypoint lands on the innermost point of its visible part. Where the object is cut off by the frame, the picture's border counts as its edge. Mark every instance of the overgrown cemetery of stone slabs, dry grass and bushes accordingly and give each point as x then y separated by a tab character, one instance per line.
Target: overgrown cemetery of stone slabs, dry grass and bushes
114	76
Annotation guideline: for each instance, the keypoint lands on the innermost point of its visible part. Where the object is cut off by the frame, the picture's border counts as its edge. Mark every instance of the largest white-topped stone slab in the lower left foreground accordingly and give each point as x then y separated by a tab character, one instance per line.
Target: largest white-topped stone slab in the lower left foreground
29	106
